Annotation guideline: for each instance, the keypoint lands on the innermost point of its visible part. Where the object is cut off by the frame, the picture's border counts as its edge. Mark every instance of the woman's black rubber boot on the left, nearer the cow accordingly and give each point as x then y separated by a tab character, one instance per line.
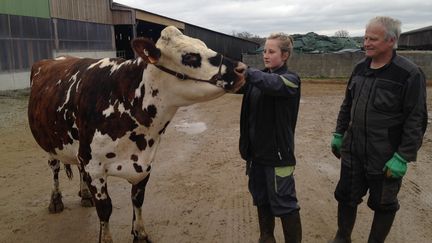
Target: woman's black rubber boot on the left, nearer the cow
266	222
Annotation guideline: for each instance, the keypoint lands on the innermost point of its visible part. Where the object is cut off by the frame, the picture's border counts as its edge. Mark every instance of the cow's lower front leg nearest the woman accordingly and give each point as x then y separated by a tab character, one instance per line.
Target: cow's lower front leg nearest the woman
137	195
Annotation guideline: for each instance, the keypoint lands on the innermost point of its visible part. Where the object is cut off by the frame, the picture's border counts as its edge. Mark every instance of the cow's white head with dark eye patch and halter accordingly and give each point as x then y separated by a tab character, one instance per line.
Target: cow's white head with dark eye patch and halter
191	61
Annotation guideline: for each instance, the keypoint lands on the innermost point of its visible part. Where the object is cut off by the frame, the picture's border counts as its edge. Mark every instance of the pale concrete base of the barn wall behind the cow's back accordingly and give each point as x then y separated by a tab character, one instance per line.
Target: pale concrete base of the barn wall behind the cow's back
21	79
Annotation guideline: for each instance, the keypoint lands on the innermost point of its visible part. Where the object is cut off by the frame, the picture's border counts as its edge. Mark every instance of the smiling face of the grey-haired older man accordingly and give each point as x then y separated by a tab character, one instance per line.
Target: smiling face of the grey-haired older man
375	43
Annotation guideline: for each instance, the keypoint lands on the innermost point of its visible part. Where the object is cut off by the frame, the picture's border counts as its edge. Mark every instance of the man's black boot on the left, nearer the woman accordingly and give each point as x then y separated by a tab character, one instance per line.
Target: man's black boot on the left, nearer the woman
346	220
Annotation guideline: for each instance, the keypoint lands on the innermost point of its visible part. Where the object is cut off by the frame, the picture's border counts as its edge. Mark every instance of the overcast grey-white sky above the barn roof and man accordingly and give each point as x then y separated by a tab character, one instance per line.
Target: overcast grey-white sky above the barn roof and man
261	17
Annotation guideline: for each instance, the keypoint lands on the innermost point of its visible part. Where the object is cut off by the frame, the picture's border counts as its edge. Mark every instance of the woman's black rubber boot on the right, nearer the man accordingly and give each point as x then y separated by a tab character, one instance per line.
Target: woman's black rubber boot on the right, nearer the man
291	226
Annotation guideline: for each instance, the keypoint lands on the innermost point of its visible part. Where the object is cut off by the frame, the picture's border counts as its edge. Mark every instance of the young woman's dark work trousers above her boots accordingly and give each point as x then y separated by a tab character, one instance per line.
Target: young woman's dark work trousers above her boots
267	188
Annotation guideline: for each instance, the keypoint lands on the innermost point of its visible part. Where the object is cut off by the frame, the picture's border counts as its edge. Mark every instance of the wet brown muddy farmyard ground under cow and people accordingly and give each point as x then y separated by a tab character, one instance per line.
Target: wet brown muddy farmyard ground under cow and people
198	190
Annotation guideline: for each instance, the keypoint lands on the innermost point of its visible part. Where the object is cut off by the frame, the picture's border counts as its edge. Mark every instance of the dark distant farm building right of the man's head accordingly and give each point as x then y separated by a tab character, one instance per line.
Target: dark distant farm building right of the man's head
419	39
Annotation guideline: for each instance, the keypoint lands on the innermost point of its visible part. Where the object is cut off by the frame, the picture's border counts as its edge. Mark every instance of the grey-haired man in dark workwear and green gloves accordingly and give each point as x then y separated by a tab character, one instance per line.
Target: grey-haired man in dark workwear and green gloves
379	130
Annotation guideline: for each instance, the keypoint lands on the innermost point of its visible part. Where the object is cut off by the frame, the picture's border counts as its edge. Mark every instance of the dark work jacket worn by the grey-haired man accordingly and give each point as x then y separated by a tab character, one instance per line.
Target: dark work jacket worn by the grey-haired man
384	111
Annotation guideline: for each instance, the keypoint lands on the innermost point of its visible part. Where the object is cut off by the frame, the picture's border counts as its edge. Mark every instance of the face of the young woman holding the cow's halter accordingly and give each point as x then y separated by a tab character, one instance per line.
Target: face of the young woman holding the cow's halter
273	55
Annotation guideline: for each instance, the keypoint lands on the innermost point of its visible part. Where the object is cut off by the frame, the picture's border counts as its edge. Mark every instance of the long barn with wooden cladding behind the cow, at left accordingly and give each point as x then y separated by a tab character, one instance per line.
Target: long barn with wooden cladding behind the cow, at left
35	29
